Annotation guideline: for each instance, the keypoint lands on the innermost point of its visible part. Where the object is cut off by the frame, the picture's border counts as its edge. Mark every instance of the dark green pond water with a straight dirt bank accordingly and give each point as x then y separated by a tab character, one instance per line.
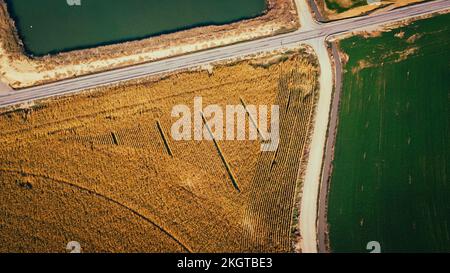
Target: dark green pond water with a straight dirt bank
52	26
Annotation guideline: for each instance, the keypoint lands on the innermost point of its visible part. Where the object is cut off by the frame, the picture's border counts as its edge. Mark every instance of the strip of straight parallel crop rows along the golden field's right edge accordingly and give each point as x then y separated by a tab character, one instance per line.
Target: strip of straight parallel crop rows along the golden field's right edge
274	186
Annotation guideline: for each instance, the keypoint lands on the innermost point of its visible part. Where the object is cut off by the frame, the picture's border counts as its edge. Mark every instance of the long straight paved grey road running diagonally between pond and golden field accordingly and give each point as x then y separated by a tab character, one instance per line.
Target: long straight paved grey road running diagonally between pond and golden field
213	55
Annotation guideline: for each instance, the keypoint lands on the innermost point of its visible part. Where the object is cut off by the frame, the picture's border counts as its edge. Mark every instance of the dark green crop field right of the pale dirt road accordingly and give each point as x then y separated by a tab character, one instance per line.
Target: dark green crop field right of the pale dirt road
390	181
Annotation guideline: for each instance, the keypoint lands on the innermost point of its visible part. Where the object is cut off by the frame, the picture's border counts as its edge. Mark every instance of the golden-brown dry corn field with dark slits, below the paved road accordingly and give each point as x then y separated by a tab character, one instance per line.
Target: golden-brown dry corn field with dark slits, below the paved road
101	168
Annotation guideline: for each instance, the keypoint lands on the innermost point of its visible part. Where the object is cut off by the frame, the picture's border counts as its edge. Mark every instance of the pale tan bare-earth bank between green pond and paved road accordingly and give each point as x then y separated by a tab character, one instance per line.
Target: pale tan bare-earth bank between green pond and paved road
19	70
